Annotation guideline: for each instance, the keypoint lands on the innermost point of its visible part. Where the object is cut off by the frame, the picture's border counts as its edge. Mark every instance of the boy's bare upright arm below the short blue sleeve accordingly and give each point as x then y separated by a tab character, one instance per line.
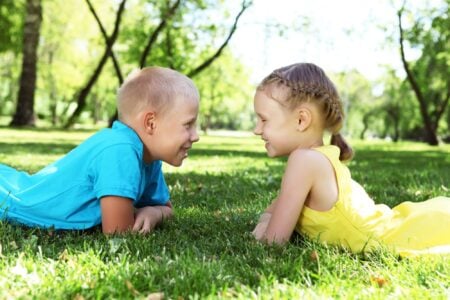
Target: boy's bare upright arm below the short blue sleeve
117	214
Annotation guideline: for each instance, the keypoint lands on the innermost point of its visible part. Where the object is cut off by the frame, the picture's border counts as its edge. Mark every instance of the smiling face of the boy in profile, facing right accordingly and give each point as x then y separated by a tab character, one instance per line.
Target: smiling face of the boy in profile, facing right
175	132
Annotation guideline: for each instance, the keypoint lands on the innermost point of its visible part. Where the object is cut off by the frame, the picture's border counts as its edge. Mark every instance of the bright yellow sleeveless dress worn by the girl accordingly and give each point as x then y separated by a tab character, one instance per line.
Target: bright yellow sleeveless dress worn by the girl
357	223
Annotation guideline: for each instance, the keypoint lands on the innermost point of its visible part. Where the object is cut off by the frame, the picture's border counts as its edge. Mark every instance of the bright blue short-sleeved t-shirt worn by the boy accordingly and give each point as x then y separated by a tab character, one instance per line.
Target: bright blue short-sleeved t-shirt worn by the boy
66	194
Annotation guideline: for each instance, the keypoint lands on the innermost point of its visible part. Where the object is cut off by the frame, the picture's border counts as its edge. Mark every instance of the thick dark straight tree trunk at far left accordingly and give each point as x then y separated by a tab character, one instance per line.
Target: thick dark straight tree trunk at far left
24	115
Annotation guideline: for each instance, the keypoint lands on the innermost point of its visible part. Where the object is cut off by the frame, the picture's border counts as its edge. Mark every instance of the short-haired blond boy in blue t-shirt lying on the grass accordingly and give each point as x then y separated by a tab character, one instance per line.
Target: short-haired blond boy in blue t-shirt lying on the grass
114	177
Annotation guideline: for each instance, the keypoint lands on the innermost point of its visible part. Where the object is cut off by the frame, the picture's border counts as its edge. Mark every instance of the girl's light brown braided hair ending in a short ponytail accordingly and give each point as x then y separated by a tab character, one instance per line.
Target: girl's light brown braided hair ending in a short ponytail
306	82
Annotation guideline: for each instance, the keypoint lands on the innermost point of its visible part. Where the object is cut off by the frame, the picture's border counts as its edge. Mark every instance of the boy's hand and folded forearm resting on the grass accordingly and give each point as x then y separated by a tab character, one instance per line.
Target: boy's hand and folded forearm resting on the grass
146	218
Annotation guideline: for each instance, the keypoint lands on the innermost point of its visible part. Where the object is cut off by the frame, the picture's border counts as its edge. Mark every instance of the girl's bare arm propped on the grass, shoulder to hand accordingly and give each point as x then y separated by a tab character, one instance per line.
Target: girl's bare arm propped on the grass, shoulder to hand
297	183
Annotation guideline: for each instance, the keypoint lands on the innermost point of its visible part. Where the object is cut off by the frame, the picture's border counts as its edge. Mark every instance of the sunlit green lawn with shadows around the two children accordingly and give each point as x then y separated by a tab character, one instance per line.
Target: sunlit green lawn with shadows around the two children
207	250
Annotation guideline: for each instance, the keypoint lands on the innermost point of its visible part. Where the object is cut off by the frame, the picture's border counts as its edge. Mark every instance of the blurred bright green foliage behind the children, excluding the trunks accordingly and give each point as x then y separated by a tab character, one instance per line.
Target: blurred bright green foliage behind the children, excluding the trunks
71	45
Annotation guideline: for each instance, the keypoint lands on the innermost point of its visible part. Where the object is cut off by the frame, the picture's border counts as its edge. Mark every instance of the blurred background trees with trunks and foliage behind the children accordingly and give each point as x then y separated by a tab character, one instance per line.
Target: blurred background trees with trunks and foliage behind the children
86	48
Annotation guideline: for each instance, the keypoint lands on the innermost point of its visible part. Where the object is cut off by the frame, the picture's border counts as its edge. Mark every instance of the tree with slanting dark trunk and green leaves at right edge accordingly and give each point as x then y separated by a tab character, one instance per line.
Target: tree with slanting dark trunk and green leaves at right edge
429	75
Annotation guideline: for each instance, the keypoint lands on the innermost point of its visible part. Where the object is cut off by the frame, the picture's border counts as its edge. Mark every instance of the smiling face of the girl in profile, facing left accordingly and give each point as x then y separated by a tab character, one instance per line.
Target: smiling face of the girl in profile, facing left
276	124
